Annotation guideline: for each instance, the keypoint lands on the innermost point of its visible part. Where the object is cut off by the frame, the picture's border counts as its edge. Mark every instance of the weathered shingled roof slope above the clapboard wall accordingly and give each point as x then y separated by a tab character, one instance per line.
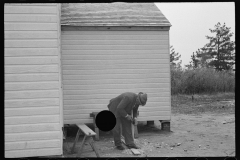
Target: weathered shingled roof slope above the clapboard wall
112	14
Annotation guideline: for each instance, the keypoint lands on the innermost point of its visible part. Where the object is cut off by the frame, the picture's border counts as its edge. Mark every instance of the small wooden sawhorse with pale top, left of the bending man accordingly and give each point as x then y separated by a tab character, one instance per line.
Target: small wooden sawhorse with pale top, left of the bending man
88	134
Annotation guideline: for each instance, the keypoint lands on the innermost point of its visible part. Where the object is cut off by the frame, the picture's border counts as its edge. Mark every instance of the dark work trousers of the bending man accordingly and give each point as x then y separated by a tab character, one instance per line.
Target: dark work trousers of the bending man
126	131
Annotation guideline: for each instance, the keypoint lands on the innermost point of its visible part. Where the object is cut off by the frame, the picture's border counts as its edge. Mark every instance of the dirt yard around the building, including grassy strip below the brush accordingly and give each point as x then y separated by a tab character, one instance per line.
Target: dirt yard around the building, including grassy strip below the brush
204	132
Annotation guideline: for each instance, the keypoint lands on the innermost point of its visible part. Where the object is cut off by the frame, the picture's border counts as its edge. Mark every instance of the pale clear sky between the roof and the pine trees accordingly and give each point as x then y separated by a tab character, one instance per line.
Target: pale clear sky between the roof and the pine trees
191	23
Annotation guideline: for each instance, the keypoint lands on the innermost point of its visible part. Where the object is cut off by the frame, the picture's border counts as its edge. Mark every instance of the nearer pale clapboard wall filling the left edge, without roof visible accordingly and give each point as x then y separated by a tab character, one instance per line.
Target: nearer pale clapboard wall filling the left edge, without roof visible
33	118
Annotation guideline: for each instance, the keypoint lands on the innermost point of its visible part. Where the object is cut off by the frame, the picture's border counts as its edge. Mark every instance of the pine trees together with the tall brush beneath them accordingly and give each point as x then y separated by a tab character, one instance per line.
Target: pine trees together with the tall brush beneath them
210	67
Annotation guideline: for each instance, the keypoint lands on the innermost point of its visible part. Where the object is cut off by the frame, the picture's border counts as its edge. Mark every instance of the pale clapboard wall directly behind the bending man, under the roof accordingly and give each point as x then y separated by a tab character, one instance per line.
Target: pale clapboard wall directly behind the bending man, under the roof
100	65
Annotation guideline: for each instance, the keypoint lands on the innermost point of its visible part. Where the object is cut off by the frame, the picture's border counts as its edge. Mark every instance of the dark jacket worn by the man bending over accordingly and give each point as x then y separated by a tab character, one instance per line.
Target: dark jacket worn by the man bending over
123	105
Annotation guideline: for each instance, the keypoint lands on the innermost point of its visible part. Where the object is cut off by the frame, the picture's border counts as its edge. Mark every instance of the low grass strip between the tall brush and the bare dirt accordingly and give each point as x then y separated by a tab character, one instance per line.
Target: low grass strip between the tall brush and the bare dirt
214	103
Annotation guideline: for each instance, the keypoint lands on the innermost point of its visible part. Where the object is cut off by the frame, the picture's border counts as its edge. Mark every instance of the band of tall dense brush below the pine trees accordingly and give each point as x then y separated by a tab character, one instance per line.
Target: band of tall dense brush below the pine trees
201	80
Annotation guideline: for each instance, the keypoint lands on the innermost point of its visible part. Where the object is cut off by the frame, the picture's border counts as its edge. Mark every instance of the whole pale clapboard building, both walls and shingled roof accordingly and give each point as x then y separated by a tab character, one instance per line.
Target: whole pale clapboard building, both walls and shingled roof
65	61
